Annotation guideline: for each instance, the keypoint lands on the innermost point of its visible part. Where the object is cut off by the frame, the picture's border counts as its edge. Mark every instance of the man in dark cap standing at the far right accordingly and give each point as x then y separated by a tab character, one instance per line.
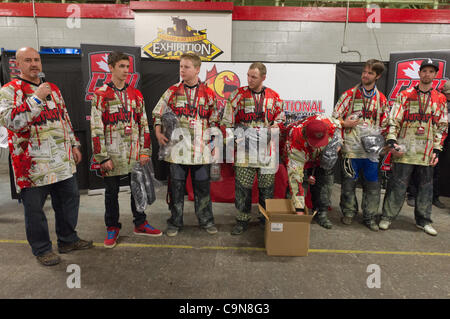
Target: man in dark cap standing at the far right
418	120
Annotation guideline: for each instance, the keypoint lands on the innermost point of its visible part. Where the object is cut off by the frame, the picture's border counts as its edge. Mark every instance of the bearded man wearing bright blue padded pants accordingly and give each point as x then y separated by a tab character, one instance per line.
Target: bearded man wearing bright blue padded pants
361	106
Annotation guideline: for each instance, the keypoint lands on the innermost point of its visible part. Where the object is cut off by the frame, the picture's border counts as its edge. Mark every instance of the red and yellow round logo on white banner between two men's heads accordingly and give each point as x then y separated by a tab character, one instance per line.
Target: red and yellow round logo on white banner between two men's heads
222	83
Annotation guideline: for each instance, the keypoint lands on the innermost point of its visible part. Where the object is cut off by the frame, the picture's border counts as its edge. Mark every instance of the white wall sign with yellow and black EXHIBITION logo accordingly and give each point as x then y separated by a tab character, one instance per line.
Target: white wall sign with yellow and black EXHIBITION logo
167	35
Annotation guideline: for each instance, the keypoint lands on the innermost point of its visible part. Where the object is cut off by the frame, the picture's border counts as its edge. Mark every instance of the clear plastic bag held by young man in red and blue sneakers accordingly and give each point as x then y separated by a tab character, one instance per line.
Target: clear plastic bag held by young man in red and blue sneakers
143	185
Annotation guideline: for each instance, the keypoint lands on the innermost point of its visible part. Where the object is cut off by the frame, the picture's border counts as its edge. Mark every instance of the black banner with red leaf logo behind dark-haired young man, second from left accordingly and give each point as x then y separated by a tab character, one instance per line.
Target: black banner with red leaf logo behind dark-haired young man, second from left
94	62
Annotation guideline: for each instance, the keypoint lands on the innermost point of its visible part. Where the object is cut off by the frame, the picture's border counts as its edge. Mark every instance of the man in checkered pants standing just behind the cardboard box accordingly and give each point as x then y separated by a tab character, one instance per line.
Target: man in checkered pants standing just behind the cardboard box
253	107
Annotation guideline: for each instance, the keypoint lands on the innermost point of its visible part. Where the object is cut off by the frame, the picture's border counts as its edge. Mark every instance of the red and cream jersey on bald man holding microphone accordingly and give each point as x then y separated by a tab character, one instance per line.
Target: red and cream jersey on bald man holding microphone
40	134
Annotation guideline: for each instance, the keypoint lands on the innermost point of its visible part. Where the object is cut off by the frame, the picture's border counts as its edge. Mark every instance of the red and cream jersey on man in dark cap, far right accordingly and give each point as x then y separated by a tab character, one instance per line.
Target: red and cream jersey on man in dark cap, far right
418	121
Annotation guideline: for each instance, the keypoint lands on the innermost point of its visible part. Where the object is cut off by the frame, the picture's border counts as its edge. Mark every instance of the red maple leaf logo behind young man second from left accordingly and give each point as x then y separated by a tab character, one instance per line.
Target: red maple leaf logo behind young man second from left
100	74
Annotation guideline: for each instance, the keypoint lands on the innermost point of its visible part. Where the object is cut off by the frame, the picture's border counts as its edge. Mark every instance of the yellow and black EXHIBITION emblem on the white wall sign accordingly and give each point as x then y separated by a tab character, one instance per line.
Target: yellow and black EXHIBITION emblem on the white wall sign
179	39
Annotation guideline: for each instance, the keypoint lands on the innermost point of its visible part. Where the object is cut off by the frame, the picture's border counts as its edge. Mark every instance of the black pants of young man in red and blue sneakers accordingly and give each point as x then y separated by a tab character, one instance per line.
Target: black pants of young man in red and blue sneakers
112	185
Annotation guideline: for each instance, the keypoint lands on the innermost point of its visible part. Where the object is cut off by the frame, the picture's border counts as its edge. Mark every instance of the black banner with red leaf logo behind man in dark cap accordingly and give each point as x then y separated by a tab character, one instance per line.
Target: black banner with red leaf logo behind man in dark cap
404	70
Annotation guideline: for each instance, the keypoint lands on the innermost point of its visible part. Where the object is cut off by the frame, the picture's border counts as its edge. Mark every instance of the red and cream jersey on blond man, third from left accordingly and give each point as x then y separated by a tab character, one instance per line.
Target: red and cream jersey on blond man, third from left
197	113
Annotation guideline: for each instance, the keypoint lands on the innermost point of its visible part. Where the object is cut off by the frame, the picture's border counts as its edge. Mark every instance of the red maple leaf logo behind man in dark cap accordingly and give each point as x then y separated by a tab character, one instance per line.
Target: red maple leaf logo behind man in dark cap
407	75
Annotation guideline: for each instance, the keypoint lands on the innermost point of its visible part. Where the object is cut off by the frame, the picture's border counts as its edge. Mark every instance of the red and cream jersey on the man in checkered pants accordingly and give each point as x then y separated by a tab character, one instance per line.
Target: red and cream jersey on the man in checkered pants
247	109
